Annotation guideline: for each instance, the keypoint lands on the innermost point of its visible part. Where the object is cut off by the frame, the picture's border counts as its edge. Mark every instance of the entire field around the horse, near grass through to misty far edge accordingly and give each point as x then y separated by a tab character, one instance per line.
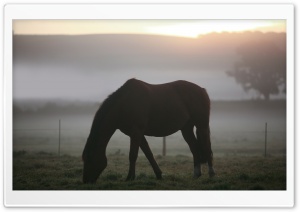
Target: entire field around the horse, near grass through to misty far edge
238	143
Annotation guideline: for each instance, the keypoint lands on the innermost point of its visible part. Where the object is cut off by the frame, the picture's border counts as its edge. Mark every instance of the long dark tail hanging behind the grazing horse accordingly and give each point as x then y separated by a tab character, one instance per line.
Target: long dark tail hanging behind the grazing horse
203	131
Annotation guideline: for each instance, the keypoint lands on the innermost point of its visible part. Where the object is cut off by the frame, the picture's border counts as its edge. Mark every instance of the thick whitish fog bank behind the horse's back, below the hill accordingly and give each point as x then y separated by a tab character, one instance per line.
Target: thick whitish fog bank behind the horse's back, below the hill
62	84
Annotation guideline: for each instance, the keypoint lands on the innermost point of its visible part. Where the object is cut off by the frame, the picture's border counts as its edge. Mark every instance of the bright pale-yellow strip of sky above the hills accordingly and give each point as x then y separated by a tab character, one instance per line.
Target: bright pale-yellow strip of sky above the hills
184	28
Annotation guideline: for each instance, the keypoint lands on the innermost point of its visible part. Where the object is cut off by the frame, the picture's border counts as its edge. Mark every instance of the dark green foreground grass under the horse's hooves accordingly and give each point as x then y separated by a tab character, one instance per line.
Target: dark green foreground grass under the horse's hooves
45	171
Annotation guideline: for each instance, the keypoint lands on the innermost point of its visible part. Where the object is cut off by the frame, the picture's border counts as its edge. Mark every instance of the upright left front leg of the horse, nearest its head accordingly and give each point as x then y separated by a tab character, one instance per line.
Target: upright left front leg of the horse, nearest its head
135	140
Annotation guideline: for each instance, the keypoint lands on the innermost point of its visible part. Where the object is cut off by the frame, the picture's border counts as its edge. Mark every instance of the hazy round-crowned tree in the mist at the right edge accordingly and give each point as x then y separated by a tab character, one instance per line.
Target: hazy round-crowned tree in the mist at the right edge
262	67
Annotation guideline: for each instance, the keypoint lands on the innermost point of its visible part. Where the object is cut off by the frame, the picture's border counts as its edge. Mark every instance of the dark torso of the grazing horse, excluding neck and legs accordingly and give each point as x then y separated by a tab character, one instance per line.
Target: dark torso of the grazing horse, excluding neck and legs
161	109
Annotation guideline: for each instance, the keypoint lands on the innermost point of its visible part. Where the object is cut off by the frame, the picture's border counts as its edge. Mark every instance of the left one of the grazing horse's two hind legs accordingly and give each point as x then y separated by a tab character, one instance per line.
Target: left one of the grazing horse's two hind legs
191	140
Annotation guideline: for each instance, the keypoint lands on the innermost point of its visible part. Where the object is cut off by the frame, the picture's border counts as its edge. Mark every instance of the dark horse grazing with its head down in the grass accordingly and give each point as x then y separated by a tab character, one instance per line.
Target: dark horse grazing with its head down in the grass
138	109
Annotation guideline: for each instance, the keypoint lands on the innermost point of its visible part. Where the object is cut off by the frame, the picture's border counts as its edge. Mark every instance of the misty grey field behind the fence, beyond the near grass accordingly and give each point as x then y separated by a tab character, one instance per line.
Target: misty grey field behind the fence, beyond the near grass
237	127
